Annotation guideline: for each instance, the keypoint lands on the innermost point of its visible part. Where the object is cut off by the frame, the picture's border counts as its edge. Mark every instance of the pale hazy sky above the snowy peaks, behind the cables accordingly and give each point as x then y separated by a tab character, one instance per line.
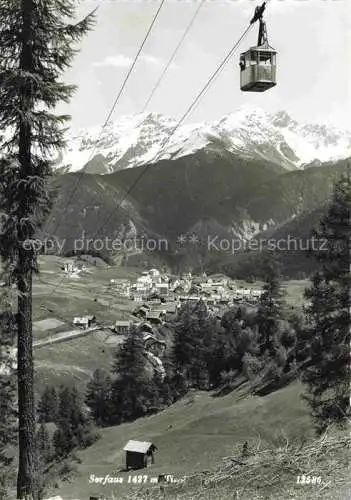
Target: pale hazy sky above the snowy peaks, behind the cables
312	38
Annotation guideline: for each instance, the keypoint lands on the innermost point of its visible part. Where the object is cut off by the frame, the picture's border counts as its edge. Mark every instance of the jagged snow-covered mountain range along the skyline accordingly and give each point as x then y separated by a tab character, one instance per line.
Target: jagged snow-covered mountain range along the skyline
250	132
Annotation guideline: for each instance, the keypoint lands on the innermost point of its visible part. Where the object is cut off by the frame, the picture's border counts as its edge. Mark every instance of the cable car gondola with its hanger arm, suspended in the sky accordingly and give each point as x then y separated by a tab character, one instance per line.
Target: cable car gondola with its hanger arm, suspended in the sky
258	64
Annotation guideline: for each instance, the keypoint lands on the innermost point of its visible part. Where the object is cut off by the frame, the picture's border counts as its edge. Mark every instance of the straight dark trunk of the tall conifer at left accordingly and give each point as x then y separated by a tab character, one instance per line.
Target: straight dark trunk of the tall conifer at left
26	484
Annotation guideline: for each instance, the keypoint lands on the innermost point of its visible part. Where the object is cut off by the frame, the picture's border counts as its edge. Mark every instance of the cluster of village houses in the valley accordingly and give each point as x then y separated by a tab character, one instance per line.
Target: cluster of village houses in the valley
155	297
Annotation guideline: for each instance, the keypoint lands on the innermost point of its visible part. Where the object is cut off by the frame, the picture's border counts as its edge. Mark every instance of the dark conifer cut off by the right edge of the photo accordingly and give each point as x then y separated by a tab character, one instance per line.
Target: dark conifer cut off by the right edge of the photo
327	372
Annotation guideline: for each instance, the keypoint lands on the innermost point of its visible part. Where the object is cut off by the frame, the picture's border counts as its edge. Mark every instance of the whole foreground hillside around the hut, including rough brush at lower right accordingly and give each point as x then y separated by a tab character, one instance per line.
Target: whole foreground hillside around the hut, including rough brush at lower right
194	436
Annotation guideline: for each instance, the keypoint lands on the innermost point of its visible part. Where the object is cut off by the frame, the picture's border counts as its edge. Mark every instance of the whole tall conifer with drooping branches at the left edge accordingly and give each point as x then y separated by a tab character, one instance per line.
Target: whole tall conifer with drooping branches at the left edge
36	40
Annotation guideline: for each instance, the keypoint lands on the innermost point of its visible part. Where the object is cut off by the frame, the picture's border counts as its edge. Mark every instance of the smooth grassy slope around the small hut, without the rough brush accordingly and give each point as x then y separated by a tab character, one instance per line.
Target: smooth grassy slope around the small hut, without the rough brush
203	430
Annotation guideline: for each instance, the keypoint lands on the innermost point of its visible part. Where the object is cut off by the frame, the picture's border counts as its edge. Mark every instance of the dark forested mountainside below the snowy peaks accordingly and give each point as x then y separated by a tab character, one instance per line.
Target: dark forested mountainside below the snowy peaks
205	194
